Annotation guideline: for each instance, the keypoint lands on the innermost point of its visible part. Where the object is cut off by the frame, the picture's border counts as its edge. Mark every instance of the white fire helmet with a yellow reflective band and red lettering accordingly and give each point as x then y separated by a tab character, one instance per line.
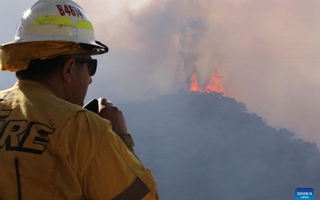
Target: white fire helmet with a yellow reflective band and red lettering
58	21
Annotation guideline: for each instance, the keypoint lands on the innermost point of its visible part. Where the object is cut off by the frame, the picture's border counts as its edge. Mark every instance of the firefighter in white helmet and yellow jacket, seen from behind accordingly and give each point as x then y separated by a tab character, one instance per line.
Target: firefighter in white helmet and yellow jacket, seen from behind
50	146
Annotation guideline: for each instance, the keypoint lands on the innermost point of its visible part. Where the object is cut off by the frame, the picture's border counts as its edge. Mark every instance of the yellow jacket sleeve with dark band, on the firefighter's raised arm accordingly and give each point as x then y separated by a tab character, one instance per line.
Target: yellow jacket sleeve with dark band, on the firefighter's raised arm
108	169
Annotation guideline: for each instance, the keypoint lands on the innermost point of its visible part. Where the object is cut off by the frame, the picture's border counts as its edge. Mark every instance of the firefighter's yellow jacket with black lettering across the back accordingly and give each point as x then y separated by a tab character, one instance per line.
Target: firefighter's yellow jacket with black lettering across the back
52	149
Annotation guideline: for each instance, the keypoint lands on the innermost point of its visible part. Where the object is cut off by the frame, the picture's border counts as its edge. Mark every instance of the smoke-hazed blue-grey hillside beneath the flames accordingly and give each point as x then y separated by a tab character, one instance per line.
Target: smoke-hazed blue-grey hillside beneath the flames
206	146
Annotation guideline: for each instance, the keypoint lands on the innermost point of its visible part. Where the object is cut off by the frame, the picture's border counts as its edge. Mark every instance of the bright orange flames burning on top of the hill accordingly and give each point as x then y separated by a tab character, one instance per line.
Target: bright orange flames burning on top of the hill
212	85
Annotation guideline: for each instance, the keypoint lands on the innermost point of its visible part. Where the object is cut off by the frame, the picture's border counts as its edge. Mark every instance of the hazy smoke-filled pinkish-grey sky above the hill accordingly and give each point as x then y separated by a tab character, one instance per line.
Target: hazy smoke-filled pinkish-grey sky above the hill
266	51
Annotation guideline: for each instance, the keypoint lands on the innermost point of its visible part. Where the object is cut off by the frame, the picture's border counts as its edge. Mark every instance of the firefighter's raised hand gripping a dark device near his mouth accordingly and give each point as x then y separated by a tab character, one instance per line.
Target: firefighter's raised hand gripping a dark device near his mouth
110	112
